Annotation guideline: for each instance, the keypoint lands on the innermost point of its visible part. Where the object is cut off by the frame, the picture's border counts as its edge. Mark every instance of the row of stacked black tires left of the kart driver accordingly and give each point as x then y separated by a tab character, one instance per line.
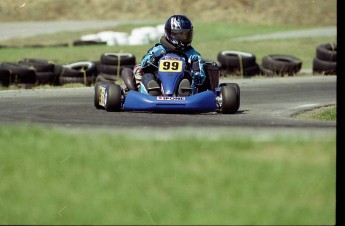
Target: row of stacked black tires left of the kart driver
29	72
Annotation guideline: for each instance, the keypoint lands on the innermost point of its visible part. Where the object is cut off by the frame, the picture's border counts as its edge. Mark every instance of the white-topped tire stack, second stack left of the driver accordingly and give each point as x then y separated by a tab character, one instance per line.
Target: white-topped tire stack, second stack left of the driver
83	72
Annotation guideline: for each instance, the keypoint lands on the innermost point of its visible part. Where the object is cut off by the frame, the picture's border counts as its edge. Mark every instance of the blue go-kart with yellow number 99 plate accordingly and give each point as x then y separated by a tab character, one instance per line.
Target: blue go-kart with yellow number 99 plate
171	68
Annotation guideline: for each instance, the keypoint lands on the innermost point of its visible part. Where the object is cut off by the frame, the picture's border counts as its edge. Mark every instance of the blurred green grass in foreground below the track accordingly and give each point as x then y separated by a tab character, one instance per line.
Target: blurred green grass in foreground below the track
57	176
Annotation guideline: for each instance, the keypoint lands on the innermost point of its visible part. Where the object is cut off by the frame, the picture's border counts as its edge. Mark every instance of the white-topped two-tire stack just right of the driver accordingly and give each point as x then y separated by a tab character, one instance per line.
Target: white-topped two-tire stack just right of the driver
238	63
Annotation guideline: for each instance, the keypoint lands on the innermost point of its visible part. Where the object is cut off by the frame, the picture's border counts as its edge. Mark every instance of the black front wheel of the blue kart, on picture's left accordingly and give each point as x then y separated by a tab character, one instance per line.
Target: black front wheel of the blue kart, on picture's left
113	97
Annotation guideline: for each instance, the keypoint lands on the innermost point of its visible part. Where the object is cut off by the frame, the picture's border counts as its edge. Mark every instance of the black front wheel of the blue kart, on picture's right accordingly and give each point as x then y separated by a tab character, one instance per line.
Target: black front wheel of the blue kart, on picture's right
229	100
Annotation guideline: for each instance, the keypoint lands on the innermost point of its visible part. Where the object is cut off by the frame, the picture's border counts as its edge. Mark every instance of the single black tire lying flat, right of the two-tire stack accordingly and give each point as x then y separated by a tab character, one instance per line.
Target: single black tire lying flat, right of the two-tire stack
282	64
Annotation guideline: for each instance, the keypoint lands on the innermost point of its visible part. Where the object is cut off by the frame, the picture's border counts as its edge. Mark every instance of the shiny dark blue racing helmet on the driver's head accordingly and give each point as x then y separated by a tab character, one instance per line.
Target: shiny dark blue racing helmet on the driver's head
178	31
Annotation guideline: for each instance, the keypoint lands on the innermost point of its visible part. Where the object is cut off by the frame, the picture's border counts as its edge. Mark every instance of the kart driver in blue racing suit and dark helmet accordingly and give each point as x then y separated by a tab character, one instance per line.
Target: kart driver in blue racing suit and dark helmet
178	35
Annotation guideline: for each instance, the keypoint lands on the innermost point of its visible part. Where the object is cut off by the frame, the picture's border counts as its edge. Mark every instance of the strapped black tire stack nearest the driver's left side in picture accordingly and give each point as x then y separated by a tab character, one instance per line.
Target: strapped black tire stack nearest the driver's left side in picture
111	64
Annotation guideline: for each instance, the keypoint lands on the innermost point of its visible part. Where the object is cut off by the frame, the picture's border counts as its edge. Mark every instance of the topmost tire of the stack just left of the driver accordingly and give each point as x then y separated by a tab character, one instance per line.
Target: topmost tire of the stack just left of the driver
118	59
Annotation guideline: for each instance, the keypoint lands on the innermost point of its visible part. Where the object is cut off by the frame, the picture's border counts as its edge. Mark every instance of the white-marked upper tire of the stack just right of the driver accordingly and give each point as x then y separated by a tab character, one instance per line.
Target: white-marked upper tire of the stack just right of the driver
233	60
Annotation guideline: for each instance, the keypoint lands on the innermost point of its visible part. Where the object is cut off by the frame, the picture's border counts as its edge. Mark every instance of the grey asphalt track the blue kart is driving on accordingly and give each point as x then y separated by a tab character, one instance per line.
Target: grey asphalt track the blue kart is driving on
265	102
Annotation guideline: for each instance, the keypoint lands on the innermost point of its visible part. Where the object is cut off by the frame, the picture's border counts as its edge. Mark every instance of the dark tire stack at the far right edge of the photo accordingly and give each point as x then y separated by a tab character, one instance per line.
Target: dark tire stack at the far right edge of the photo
325	61
